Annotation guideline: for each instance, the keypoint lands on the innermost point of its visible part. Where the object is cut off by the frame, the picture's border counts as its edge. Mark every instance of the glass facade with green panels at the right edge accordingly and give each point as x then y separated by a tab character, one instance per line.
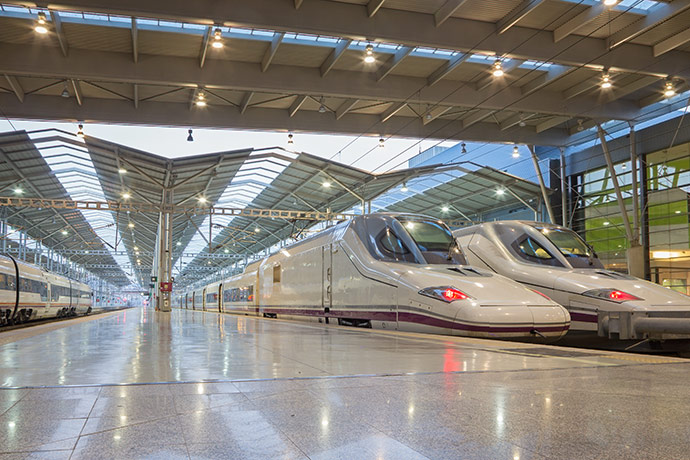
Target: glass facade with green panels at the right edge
597	217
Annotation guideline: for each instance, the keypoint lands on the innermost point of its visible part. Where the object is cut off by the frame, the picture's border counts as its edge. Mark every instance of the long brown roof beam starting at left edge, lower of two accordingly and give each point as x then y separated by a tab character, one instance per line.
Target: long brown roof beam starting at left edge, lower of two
180	72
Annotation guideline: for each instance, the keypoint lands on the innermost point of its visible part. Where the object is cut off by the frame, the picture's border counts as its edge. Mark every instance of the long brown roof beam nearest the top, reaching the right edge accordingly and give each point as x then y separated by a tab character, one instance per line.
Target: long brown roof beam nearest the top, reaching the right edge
403	27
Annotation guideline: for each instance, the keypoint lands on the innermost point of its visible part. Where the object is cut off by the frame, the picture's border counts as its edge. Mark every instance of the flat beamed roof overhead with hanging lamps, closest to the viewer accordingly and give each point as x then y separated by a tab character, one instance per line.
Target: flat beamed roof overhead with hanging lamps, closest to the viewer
299	65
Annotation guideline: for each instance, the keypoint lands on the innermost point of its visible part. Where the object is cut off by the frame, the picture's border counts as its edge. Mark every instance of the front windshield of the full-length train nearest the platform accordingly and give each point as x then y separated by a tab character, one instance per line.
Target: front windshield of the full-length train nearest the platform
434	240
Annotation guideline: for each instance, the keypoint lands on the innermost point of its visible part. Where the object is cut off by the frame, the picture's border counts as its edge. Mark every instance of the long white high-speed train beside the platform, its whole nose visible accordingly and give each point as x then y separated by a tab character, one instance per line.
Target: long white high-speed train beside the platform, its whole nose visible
387	271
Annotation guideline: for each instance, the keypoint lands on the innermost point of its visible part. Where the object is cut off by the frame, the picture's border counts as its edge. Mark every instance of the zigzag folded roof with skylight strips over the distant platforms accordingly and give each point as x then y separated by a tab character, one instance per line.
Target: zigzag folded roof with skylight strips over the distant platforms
118	242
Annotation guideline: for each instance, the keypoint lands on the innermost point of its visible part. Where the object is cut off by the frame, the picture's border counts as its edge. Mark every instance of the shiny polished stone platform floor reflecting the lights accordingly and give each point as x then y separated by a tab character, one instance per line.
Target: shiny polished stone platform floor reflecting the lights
190	384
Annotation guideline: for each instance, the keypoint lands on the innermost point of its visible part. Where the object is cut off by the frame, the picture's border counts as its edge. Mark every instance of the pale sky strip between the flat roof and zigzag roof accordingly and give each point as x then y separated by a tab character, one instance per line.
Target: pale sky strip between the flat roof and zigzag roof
362	152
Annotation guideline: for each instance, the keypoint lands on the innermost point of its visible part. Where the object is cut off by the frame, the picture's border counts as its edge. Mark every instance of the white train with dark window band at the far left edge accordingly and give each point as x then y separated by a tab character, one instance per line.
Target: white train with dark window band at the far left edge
28	292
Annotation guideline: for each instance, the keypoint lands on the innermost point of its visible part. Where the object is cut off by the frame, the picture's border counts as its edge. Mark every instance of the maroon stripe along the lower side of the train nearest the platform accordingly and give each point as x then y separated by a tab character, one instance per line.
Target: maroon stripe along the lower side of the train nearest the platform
410	318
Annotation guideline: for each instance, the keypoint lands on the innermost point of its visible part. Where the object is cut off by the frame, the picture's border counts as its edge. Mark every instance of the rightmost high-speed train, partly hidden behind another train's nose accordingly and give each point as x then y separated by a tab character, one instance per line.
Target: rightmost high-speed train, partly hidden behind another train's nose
557	262
